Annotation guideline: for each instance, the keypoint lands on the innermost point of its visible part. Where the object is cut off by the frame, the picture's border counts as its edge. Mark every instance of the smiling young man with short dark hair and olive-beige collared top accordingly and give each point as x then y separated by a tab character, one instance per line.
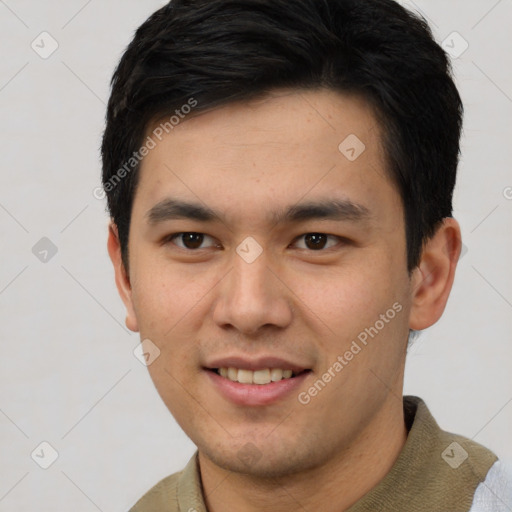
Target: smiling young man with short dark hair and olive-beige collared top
280	177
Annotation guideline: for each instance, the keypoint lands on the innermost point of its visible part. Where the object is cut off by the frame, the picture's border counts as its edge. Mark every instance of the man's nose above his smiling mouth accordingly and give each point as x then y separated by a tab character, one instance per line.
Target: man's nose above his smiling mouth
251	297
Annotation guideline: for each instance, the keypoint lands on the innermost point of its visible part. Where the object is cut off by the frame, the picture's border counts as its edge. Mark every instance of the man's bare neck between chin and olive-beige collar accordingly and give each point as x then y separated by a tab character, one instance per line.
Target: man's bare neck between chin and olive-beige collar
334	486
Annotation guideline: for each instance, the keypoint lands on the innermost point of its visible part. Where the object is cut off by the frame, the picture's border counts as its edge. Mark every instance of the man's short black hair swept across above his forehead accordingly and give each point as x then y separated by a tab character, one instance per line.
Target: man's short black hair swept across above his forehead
221	51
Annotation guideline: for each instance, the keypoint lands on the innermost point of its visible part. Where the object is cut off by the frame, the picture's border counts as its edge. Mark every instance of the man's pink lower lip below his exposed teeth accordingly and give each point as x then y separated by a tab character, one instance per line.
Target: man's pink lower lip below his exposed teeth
256	394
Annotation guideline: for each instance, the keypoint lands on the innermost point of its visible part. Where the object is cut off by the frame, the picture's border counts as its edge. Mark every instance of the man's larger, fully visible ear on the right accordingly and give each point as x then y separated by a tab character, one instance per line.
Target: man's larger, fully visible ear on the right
432	279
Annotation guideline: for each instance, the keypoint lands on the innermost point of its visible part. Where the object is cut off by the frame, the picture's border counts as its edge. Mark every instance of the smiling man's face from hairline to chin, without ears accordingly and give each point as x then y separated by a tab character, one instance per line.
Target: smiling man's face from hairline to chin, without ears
304	292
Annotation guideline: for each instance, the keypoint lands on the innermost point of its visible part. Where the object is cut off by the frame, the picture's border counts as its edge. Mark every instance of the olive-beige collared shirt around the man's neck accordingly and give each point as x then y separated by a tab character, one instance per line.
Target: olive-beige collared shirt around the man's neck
436	471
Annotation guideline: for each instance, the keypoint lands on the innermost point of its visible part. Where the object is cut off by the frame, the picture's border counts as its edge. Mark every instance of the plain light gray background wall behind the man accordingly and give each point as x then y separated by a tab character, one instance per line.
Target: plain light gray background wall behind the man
67	370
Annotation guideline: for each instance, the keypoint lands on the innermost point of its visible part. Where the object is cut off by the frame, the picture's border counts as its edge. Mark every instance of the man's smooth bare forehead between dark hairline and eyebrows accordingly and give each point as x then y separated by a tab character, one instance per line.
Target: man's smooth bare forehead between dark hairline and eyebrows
276	149
